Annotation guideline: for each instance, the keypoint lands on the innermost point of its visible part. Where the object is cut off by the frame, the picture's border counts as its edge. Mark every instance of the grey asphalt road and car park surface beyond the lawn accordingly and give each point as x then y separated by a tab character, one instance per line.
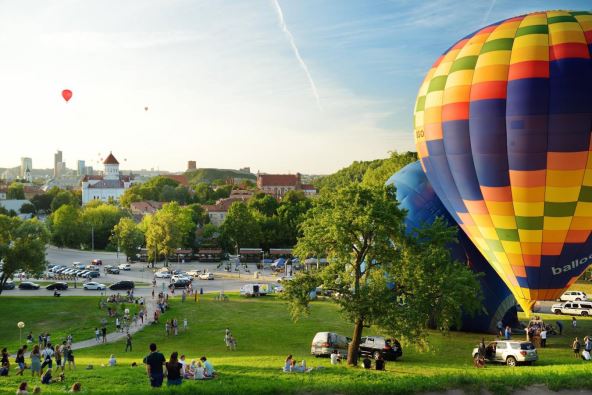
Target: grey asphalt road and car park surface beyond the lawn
141	273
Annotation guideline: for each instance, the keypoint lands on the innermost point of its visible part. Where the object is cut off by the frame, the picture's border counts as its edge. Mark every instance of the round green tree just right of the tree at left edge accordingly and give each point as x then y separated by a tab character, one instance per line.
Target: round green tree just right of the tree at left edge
66	226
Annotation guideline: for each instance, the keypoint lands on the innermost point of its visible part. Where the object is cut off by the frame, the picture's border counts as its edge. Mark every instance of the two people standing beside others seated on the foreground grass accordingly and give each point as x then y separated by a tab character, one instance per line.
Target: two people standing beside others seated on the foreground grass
176	368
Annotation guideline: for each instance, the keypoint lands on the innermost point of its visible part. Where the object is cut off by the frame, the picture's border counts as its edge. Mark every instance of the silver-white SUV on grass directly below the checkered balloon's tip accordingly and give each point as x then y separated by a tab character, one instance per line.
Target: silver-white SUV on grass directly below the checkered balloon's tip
510	352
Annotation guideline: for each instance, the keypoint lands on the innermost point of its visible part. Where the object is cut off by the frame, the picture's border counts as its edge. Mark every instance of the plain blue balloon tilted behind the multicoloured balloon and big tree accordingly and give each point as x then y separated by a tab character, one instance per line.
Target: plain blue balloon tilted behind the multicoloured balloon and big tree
416	195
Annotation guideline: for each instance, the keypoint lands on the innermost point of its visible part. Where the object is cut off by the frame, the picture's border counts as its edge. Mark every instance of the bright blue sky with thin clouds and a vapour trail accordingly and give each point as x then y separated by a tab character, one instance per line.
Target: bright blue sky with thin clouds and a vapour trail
281	86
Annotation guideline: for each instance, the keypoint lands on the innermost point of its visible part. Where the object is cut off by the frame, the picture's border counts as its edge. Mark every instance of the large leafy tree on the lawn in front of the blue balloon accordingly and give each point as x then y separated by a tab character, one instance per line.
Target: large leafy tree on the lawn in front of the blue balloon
373	265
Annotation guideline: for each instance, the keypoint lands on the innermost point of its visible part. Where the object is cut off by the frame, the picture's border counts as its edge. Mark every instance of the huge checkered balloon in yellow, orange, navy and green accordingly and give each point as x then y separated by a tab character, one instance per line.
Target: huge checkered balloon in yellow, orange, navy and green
502	126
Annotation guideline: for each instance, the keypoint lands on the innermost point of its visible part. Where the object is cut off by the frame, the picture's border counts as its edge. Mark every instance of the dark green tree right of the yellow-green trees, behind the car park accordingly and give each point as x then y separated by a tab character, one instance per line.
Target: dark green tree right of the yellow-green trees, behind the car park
240	226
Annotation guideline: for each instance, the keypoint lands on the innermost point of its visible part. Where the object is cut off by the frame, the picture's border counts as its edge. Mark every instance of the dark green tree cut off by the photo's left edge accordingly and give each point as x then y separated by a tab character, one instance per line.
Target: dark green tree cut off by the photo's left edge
22	247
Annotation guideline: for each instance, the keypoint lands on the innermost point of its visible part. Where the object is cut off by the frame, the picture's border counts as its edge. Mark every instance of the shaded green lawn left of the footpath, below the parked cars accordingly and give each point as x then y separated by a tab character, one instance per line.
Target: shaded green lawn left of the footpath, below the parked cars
76	315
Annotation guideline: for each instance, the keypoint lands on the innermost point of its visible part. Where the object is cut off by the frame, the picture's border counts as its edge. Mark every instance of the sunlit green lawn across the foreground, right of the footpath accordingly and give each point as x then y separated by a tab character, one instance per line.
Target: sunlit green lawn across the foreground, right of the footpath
266	335
